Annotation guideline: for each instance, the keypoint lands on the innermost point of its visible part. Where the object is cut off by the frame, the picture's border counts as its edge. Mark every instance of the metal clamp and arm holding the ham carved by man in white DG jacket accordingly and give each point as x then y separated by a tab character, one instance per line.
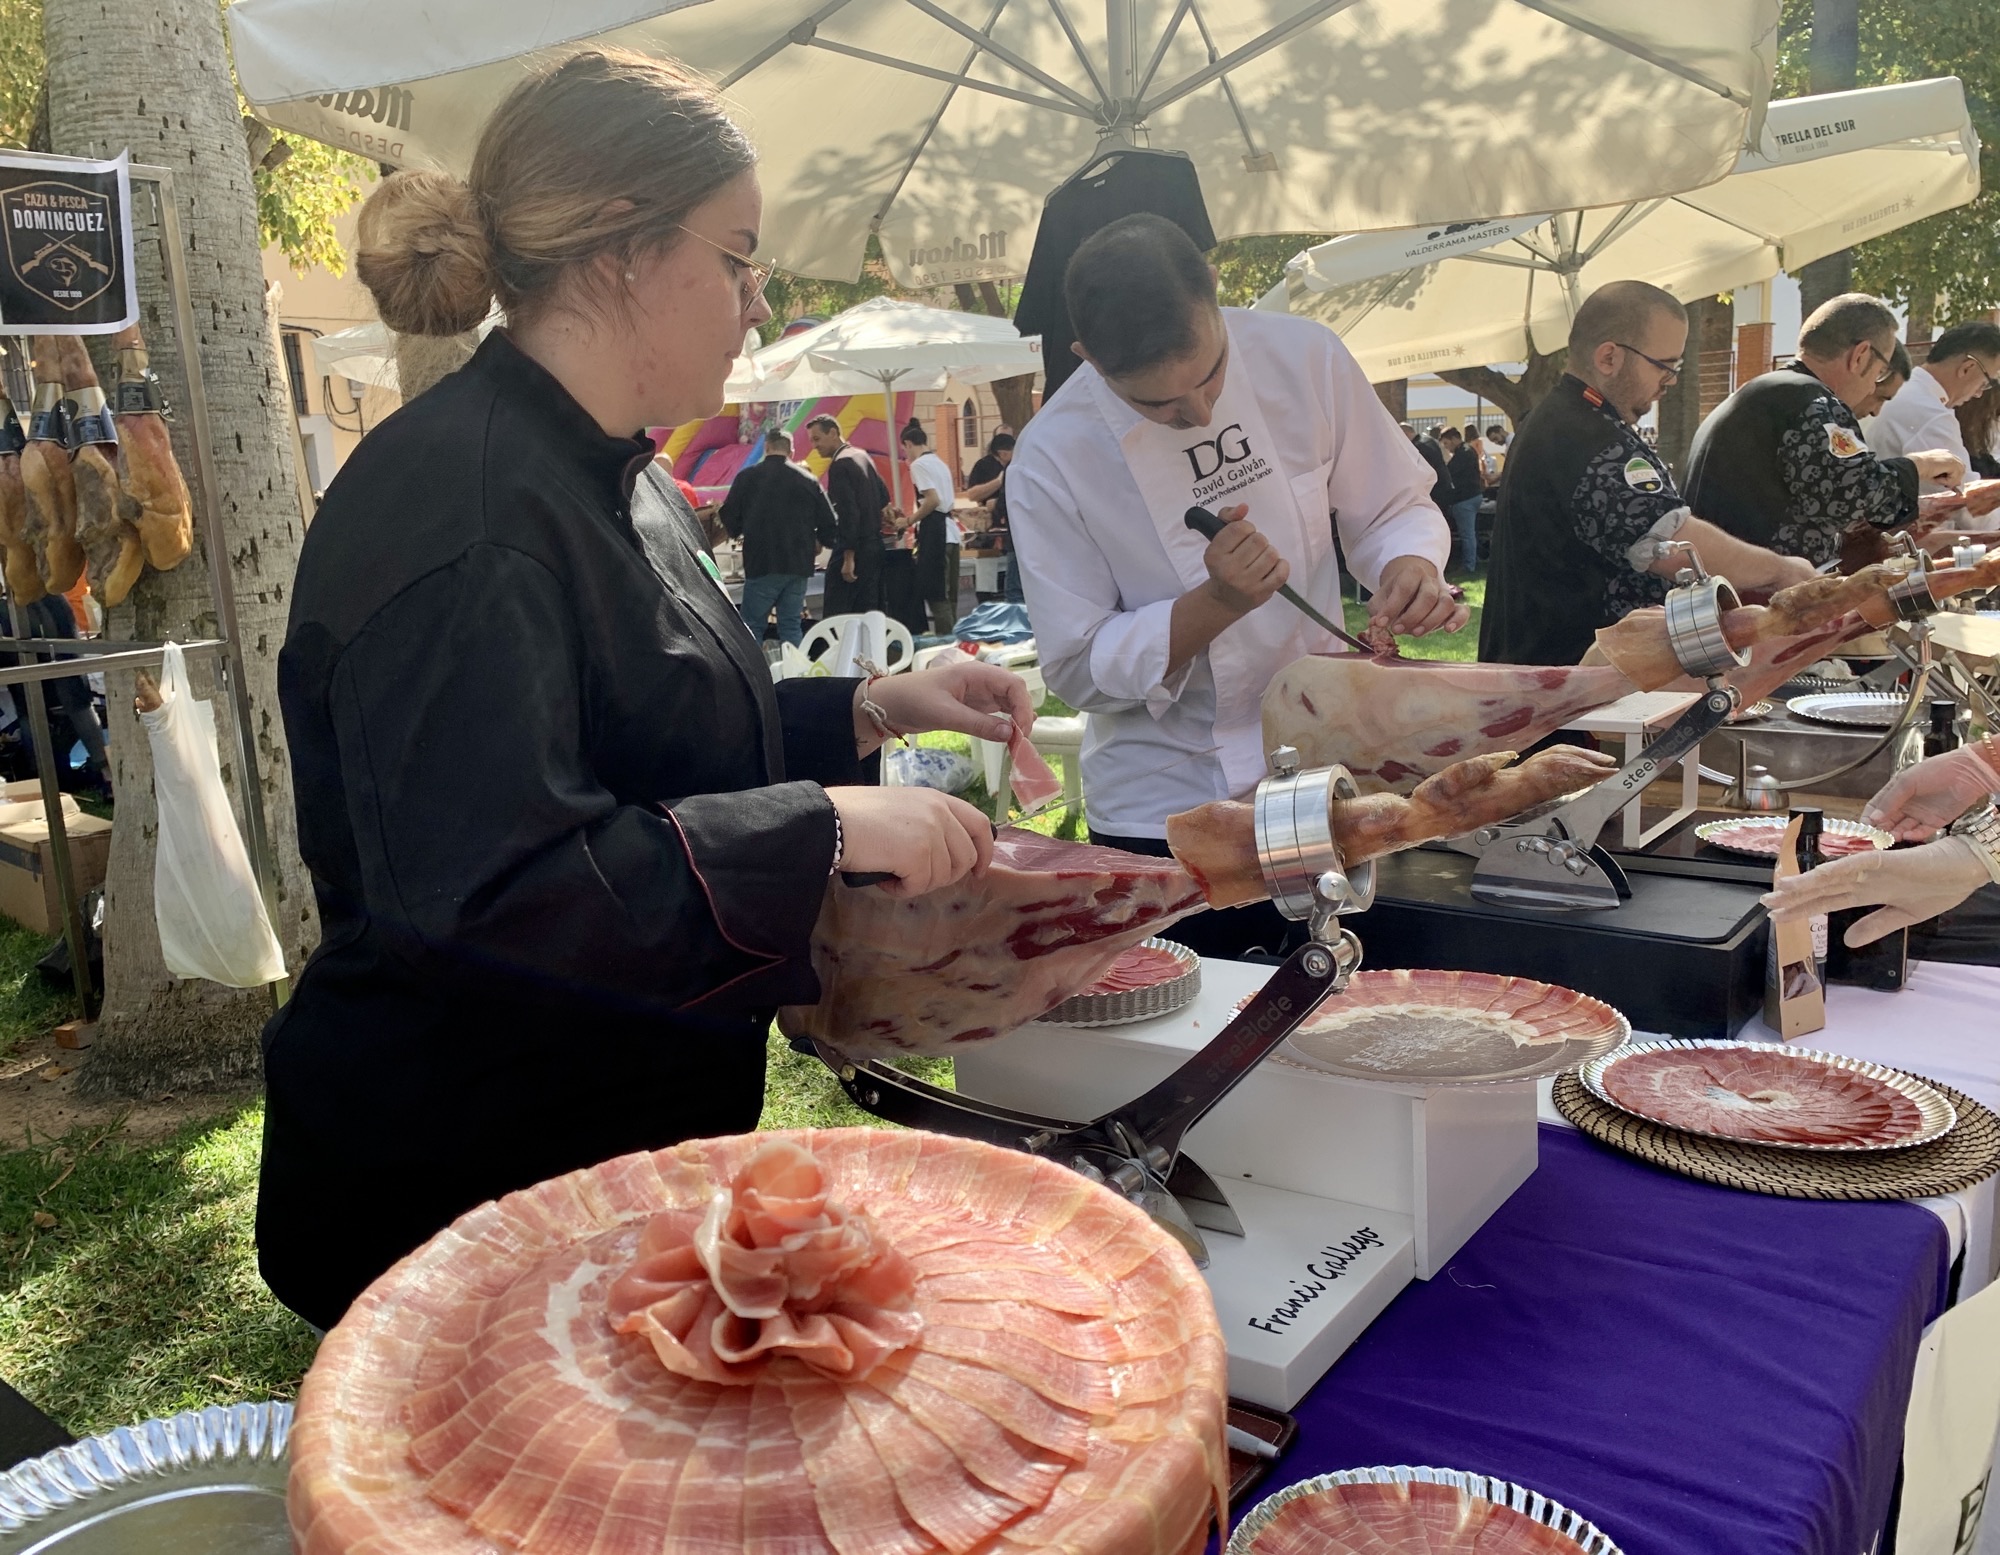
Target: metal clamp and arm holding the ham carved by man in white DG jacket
1551	860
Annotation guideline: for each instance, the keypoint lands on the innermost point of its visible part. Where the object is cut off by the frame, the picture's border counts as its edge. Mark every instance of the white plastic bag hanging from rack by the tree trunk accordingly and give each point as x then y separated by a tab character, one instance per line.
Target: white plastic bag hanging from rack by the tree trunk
205	894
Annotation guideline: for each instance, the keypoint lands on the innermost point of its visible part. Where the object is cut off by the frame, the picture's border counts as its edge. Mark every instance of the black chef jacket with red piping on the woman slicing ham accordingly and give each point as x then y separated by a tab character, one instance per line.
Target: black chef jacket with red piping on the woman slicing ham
557	822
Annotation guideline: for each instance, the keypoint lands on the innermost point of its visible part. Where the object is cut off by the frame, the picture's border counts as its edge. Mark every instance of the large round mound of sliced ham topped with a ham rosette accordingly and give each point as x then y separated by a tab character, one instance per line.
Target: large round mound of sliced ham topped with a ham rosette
849	1342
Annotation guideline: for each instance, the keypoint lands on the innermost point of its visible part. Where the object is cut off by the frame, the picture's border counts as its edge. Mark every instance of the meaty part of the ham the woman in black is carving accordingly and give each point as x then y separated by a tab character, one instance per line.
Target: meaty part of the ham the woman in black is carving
985	954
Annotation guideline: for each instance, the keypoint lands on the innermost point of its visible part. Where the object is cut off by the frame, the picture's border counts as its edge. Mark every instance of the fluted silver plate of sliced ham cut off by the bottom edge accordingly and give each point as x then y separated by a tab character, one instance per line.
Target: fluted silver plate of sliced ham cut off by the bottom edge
1371	1512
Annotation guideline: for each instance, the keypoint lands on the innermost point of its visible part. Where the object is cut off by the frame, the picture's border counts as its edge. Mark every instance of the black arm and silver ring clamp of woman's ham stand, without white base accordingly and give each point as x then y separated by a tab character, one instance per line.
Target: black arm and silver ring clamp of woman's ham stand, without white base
1135	1150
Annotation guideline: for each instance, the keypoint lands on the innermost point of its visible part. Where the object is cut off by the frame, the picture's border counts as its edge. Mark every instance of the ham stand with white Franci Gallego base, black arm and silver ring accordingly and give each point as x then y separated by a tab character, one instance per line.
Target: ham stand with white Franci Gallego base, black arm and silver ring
1297	1272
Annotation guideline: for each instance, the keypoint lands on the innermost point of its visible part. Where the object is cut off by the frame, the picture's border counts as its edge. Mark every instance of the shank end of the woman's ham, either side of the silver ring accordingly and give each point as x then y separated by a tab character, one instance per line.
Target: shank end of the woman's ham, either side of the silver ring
1217	842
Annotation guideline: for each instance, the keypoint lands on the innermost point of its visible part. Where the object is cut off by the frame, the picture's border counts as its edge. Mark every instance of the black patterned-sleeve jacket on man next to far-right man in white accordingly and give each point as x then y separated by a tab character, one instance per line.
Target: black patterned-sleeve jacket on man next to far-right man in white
1783	465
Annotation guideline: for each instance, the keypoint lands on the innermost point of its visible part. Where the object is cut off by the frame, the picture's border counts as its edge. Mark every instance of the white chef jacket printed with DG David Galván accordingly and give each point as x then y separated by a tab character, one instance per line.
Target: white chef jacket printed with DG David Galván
1095	507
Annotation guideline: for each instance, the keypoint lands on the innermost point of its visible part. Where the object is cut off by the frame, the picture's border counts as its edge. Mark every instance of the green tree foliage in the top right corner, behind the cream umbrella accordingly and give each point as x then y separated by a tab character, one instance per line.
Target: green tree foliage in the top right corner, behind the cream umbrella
1953	257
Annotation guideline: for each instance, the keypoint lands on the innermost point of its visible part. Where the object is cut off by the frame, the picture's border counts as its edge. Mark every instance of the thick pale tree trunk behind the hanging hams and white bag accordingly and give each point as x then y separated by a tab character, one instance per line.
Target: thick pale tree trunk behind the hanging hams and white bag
153	77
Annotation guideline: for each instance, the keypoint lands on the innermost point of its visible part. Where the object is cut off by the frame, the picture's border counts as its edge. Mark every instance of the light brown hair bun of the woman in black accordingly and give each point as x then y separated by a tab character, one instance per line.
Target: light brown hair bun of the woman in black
425	257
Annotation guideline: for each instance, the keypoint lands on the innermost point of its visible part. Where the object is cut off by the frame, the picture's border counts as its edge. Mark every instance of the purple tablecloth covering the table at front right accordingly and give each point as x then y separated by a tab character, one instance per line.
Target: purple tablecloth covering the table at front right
1699	1372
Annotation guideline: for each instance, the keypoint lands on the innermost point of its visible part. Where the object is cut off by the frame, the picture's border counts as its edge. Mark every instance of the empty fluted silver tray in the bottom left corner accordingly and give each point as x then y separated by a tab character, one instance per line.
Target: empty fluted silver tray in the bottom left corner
209	1482
